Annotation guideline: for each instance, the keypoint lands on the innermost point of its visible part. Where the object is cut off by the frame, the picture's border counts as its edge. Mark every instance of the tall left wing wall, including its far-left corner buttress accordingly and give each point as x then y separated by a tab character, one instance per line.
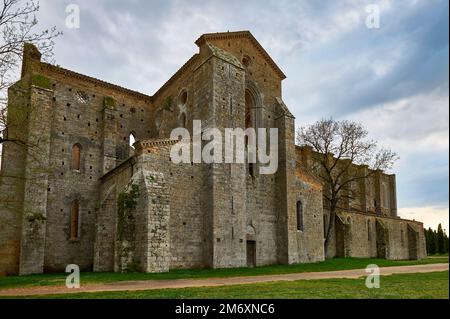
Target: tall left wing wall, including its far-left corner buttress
71	109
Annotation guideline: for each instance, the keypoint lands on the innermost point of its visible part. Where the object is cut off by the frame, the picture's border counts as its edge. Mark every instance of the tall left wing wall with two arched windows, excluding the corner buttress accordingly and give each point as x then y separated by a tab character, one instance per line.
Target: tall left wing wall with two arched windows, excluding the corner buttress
99	118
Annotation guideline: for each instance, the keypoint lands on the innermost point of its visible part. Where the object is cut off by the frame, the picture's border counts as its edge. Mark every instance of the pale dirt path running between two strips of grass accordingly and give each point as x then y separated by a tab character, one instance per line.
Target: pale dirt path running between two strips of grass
212	282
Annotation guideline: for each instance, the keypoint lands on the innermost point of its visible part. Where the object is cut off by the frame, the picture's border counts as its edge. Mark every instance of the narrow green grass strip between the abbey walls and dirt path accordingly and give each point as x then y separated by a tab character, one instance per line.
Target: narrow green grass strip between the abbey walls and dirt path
92	277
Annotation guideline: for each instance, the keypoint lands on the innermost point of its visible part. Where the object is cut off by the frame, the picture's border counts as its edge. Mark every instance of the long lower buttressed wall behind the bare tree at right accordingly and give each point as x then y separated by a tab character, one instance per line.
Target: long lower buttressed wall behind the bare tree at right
367	224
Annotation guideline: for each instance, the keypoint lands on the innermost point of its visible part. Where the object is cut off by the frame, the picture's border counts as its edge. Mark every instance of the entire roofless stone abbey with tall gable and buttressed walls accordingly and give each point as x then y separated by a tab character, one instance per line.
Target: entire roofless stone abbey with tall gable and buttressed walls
78	192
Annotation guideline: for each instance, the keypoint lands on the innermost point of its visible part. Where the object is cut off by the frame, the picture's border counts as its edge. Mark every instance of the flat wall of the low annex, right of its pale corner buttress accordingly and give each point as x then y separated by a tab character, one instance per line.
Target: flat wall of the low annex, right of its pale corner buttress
187	186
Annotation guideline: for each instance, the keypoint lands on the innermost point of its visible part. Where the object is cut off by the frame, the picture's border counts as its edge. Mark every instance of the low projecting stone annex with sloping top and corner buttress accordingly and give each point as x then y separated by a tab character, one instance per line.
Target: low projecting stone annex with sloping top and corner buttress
181	197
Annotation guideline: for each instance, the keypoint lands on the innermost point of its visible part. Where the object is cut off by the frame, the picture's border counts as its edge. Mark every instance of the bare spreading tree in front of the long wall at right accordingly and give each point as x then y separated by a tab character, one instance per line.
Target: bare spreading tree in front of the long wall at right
338	146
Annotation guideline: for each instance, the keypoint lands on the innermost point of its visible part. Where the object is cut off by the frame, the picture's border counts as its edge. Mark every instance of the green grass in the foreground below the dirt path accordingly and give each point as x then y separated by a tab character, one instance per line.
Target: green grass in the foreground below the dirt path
412	286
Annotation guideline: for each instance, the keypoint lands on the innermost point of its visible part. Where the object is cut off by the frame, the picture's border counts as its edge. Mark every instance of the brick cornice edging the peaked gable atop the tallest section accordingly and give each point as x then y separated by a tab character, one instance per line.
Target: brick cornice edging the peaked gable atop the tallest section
241	34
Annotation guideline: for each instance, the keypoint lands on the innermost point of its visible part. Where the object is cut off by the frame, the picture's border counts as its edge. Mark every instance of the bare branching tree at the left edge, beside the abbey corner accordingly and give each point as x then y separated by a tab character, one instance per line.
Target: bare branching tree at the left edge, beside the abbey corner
18	24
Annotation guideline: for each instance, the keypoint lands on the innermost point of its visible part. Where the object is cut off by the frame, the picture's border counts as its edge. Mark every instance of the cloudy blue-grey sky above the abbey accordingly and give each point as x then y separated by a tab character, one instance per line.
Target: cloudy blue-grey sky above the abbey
394	79
